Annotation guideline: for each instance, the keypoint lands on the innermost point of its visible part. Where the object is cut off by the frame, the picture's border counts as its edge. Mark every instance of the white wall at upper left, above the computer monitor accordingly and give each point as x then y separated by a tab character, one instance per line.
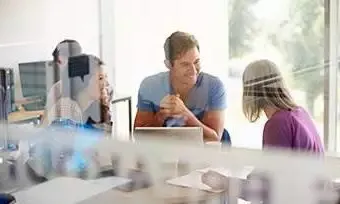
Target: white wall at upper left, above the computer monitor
30	29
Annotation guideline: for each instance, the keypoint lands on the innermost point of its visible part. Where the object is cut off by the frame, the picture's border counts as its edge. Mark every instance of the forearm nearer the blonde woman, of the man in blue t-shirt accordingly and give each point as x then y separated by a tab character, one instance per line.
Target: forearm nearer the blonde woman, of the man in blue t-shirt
208	133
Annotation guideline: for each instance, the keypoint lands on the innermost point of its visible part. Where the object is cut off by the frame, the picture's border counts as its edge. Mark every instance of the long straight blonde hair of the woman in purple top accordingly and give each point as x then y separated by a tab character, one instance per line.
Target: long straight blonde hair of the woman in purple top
263	86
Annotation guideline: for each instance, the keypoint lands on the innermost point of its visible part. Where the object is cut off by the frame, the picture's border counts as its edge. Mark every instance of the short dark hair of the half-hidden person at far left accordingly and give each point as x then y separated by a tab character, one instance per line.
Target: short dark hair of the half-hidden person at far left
67	48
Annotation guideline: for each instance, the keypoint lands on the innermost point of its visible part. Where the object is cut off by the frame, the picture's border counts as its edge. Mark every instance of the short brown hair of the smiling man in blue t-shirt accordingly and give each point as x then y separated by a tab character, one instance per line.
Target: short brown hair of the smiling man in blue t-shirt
178	43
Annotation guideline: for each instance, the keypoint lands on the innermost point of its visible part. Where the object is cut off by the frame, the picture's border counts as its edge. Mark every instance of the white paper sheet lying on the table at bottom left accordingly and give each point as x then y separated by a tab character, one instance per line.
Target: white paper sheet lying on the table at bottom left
61	190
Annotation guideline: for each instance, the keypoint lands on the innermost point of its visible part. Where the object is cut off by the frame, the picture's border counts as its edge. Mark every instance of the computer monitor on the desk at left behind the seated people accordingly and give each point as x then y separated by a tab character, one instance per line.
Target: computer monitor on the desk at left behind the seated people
36	79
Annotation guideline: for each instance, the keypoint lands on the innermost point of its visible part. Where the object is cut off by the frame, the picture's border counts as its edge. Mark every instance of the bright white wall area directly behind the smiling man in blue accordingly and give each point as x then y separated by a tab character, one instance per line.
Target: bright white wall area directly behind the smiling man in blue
135	31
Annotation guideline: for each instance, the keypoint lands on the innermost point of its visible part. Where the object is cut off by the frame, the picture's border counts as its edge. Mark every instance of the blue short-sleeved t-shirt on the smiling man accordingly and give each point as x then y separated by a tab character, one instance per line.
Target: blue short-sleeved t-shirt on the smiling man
207	95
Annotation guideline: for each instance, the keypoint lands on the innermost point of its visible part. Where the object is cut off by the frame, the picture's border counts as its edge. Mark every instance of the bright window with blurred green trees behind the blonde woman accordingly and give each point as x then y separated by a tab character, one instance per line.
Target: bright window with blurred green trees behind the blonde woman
288	32
